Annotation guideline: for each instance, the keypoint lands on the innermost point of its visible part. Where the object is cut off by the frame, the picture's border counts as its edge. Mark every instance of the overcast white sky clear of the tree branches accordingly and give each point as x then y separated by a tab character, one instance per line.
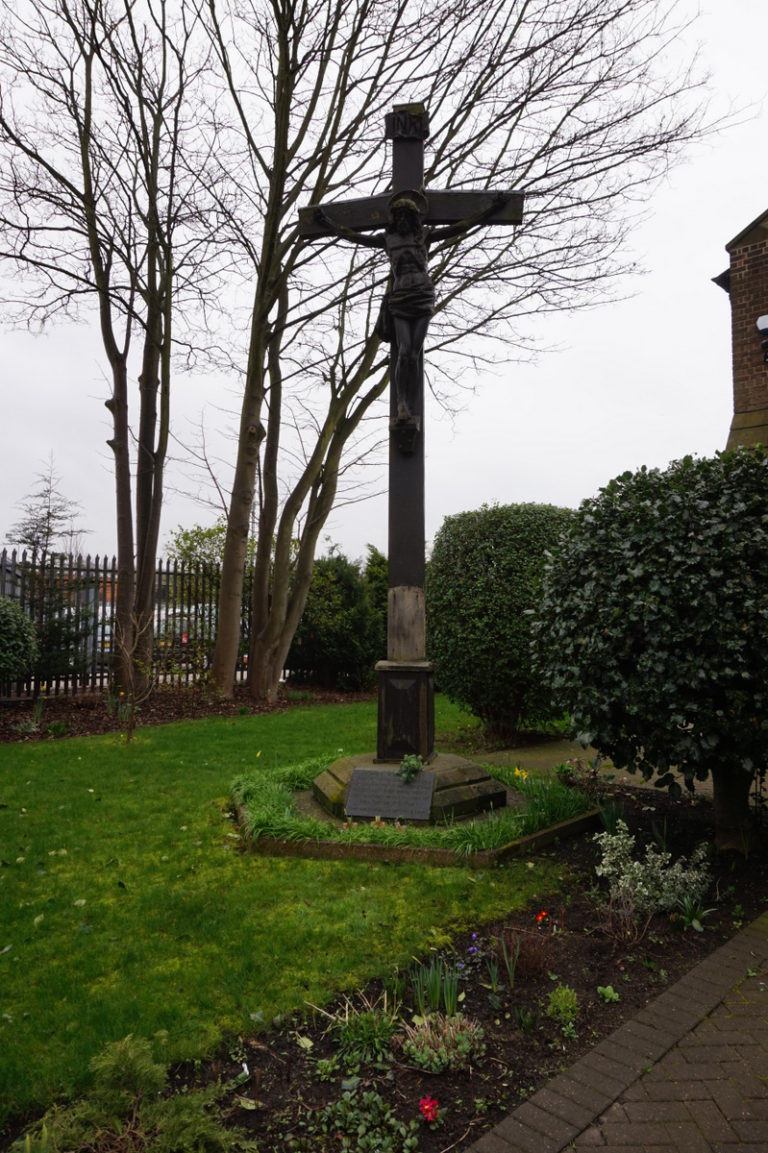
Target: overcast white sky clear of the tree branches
642	382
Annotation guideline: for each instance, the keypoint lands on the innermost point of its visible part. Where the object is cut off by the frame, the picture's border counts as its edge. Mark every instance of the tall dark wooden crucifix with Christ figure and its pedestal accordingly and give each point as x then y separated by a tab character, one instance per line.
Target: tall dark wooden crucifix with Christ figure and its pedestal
403	223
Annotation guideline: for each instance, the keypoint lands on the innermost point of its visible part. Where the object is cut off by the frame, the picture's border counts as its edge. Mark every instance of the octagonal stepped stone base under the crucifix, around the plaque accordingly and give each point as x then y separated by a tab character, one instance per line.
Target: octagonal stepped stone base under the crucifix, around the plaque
462	788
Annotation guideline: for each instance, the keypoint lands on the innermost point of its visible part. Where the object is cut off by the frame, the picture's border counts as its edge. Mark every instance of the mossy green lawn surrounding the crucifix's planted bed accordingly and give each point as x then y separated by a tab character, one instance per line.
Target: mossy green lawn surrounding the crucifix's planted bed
126	907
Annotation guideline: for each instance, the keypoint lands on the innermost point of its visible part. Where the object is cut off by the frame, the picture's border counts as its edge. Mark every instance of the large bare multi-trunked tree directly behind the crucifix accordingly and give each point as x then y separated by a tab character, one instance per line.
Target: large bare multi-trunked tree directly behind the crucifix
581	104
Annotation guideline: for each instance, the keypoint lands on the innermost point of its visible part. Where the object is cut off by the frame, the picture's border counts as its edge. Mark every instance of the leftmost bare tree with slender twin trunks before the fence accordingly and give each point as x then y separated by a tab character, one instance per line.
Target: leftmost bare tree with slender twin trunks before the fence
106	206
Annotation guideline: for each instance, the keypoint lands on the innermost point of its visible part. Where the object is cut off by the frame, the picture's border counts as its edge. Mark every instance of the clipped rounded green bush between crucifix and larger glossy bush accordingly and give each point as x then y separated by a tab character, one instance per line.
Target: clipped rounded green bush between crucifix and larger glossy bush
483	583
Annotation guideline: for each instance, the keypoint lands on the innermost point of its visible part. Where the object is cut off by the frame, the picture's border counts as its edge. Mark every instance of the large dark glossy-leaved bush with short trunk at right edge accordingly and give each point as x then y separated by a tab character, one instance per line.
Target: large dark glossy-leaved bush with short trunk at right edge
652	629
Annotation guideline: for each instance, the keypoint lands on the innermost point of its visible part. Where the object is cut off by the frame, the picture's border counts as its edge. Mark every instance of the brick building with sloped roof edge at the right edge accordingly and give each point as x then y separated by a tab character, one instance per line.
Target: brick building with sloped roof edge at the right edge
747	283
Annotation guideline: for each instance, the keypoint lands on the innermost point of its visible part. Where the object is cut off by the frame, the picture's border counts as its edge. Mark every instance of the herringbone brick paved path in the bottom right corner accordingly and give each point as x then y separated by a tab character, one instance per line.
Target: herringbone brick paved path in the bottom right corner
688	1075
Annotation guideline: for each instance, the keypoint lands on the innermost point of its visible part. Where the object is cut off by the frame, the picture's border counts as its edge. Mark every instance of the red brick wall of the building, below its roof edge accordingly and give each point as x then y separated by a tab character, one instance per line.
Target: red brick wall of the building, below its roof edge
749	292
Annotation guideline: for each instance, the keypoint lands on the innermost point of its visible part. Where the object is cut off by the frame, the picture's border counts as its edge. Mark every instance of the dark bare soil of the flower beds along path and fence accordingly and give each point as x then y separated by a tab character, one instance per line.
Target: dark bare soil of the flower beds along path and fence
570	946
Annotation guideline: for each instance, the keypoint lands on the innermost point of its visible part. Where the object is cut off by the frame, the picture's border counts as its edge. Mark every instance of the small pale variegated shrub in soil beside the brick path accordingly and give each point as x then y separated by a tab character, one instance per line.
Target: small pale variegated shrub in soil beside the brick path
638	890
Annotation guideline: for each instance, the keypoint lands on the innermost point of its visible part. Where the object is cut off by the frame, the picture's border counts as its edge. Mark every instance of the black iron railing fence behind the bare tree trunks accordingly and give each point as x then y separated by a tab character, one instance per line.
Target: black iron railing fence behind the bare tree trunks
72	602
